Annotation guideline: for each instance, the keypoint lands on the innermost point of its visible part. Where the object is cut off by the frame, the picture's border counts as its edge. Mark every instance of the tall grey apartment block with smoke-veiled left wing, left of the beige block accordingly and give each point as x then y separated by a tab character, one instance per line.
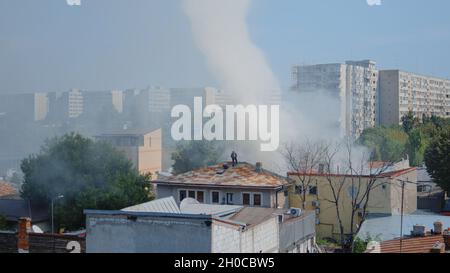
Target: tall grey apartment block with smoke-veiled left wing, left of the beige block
354	84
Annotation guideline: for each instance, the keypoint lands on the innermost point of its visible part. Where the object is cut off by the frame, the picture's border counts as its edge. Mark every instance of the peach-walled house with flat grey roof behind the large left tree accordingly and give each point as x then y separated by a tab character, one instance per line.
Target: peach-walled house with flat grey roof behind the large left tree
142	147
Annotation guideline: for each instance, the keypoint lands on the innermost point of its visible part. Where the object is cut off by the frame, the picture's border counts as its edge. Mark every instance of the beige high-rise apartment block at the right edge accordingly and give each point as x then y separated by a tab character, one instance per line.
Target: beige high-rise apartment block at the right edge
401	92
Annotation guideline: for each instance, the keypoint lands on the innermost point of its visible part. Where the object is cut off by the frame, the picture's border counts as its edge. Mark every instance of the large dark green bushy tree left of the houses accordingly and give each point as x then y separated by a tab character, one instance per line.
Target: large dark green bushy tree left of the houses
90	175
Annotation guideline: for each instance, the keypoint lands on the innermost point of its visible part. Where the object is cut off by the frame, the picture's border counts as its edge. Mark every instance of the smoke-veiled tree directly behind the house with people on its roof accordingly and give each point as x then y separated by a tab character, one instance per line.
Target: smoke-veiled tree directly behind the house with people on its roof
190	155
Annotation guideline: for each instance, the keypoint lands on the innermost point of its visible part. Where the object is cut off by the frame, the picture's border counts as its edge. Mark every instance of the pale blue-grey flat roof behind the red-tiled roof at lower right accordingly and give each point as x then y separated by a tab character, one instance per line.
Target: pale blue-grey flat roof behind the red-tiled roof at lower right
388	228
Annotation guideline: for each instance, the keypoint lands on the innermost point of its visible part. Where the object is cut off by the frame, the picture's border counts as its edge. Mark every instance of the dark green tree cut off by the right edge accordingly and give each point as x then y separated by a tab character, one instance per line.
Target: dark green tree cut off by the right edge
437	158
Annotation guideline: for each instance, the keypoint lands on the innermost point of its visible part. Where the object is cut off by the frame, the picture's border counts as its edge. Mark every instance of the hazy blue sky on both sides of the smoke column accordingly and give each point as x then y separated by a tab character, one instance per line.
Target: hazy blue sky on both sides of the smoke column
47	45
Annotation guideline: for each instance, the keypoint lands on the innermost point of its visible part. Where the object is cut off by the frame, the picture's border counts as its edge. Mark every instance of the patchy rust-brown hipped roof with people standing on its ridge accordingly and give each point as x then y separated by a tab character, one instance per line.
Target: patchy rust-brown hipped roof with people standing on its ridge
244	175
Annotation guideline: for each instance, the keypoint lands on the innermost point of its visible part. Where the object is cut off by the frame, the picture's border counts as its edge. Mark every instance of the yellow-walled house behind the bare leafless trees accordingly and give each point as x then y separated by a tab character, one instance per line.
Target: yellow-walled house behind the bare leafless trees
385	197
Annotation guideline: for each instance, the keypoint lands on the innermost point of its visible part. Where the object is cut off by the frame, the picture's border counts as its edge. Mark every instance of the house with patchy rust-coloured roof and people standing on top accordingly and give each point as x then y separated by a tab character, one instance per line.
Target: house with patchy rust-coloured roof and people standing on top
244	184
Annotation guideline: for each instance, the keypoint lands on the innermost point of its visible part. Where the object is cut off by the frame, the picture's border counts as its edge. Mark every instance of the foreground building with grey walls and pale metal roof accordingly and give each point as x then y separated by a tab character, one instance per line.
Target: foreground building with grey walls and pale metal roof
161	226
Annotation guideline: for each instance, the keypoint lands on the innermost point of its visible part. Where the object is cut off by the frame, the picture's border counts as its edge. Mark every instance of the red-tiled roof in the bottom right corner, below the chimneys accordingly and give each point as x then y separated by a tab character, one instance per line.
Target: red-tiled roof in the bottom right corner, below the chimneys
411	245
